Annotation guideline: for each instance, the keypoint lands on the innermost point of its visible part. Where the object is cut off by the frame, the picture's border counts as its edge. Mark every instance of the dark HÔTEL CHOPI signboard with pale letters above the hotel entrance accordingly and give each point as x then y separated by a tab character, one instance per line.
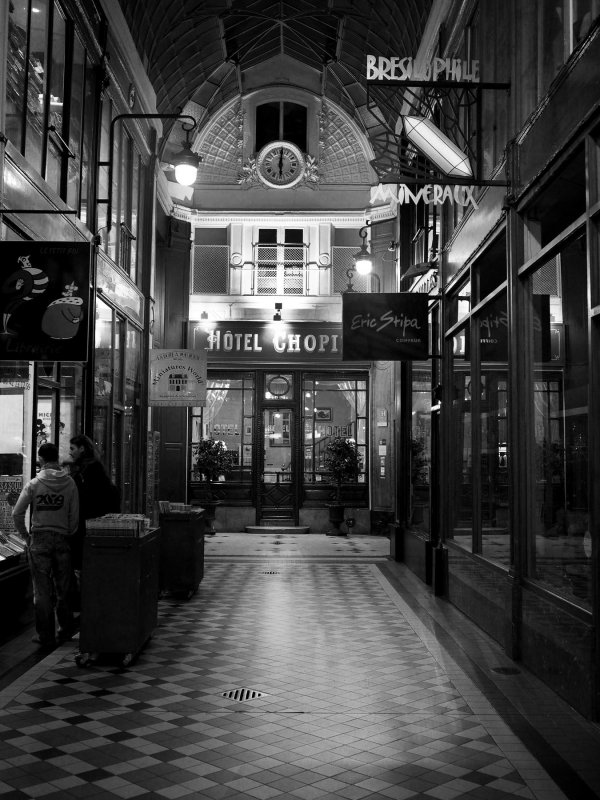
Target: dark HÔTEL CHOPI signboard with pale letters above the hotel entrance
264	342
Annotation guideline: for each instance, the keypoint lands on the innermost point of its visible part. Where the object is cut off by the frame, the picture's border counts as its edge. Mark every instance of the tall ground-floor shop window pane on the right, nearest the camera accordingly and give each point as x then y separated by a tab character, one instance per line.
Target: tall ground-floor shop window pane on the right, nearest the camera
559	324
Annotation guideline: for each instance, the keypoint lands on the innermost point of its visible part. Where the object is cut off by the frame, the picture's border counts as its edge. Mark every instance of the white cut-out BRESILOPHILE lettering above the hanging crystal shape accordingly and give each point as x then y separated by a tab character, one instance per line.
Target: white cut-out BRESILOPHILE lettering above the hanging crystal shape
404	70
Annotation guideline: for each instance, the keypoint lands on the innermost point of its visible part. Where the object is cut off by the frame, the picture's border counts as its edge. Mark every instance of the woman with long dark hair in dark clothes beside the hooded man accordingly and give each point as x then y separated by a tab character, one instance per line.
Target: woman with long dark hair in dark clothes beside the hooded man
97	493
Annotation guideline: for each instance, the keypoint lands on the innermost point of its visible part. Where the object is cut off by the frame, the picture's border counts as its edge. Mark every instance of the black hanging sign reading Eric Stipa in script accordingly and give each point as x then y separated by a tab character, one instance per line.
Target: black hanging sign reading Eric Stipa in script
385	327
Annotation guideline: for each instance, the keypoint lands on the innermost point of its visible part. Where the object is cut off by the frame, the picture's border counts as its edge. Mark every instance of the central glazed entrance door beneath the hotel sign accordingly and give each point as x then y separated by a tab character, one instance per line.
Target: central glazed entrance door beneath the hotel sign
278	490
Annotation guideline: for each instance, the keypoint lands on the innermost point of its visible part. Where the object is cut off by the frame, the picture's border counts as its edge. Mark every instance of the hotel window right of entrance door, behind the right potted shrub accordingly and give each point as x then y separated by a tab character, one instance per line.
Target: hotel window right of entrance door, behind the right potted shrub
332	408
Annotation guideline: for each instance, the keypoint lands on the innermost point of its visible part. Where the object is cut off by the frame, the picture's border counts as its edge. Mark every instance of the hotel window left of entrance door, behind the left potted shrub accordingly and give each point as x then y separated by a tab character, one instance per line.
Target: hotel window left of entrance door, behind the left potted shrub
228	416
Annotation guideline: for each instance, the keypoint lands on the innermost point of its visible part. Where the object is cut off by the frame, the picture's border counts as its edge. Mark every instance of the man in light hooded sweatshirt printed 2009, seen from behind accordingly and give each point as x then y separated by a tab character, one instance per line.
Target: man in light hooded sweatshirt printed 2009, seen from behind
54	517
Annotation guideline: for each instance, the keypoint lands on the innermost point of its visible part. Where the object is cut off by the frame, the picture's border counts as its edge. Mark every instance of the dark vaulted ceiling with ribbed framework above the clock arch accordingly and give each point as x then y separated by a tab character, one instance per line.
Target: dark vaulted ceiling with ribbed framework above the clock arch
204	51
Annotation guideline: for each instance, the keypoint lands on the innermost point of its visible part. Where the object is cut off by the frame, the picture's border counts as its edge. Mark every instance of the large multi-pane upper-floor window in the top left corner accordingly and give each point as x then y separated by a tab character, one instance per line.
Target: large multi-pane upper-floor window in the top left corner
49	98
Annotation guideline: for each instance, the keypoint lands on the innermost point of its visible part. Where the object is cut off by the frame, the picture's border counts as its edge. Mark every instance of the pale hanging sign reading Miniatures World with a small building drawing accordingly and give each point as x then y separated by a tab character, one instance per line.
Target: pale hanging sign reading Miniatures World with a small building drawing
177	377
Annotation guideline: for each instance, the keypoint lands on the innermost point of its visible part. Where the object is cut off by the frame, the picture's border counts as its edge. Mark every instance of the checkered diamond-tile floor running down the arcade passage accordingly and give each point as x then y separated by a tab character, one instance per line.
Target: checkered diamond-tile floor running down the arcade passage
355	699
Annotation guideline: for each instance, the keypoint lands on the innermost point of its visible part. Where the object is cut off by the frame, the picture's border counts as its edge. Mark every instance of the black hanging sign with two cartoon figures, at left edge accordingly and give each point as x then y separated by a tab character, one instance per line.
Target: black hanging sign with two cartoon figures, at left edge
44	300
